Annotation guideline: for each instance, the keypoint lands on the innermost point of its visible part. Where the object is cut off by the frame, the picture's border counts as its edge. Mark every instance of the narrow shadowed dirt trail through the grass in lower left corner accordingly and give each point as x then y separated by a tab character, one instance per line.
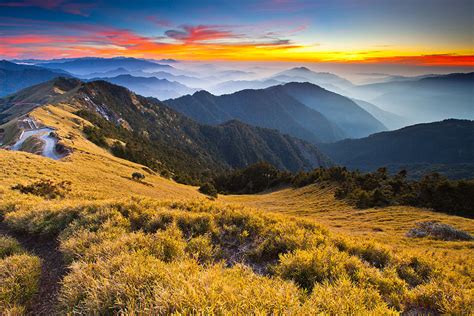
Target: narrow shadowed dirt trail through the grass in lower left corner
52	269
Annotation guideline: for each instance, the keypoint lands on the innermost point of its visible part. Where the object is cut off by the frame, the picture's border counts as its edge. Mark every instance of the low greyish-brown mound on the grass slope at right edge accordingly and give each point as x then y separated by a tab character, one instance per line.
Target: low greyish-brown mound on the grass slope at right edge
439	231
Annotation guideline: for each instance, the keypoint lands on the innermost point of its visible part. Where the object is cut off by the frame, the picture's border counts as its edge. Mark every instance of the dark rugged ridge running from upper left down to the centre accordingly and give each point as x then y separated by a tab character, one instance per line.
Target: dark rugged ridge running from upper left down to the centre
149	132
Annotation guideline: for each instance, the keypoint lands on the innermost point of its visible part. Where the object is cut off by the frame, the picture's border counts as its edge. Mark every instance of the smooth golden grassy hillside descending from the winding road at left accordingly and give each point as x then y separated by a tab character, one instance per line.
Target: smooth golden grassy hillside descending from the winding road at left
94	173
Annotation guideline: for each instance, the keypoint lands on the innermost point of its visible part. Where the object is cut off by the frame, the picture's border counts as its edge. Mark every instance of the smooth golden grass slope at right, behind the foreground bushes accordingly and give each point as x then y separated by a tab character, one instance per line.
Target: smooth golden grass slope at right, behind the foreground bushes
386	225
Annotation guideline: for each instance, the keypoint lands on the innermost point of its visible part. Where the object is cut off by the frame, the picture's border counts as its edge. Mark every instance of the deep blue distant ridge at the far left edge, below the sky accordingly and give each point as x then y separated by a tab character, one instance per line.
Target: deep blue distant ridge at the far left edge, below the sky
14	77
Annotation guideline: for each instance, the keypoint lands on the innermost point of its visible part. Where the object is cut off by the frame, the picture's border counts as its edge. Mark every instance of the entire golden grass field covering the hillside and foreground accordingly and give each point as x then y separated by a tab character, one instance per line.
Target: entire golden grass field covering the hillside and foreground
158	247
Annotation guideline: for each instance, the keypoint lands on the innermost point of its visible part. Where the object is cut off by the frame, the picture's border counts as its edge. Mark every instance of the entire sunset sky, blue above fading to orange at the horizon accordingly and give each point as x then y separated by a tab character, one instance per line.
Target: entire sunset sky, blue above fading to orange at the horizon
400	32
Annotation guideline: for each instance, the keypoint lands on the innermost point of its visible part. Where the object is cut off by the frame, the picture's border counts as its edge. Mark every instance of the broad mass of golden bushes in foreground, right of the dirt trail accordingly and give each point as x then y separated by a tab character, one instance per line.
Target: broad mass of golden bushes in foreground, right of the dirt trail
142	256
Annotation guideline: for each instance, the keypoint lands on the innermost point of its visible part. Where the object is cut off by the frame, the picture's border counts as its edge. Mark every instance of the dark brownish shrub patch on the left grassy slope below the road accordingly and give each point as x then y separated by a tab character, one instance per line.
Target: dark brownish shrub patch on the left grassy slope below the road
45	188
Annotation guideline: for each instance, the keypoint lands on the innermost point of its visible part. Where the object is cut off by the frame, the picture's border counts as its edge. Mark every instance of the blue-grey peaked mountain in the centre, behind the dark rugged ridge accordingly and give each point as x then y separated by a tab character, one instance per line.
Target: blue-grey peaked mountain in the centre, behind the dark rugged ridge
302	110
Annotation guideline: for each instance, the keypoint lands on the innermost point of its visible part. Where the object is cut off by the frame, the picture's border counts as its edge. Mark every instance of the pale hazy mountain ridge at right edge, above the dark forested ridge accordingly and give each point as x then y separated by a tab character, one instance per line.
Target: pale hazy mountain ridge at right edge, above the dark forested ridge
424	99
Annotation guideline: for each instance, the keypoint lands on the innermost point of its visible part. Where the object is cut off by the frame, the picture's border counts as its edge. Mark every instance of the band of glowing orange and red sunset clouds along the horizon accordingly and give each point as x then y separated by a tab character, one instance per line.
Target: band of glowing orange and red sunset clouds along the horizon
201	42
